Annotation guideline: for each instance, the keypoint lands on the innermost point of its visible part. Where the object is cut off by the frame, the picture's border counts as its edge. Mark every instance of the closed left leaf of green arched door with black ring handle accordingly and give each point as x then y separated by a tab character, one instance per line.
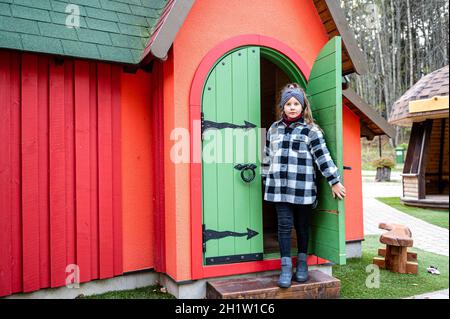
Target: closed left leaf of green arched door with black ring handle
232	216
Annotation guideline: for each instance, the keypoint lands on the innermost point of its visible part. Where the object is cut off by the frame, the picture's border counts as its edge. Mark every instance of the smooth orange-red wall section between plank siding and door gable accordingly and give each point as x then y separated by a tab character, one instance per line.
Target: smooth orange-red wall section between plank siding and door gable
143	170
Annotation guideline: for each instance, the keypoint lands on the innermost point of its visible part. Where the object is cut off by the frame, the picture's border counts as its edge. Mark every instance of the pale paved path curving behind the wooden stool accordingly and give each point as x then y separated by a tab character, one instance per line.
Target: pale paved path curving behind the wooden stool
425	235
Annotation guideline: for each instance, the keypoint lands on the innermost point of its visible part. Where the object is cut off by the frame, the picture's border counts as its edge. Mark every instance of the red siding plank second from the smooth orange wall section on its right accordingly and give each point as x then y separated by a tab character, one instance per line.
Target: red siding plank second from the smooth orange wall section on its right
105	188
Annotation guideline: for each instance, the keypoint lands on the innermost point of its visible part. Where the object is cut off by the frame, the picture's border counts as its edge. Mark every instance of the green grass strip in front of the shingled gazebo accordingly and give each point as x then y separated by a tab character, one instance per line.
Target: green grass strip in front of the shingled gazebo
432	216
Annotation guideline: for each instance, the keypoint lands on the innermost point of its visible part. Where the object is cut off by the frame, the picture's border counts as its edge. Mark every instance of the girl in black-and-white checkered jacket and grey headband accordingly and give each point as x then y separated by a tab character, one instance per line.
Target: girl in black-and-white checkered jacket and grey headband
292	144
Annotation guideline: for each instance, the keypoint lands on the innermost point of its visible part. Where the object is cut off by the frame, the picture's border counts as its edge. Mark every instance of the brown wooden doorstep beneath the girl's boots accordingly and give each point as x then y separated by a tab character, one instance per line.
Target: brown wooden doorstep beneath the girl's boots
318	286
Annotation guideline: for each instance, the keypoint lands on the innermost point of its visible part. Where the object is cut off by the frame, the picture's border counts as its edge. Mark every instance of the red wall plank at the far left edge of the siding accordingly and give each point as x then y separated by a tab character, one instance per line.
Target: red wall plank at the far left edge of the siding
10	175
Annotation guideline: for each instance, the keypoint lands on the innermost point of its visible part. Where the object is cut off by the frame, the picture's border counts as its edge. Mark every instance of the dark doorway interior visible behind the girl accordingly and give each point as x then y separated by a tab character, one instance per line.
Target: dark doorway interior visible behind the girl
272	80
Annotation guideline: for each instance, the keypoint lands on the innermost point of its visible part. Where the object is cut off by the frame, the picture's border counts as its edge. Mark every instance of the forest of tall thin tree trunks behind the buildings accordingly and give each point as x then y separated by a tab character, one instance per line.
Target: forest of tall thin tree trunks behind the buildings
402	40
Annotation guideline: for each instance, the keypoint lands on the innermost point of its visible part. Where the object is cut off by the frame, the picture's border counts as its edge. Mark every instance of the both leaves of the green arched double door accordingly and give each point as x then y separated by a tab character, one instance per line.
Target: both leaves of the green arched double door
232	208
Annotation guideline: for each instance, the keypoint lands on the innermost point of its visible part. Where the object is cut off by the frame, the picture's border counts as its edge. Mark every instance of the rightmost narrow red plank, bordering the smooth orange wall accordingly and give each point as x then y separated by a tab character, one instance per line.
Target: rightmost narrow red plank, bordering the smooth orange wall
116	169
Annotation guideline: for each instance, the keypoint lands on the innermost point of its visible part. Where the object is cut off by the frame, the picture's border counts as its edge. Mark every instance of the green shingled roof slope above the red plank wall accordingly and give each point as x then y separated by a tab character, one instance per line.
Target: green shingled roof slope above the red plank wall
110	30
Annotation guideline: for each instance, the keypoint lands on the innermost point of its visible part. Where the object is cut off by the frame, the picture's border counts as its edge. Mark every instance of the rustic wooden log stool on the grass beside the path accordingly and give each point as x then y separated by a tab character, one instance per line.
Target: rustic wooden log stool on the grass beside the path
395	256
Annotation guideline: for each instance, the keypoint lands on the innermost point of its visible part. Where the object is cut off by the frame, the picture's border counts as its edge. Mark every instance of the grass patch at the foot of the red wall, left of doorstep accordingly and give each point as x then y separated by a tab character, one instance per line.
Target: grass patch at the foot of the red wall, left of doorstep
150	292
